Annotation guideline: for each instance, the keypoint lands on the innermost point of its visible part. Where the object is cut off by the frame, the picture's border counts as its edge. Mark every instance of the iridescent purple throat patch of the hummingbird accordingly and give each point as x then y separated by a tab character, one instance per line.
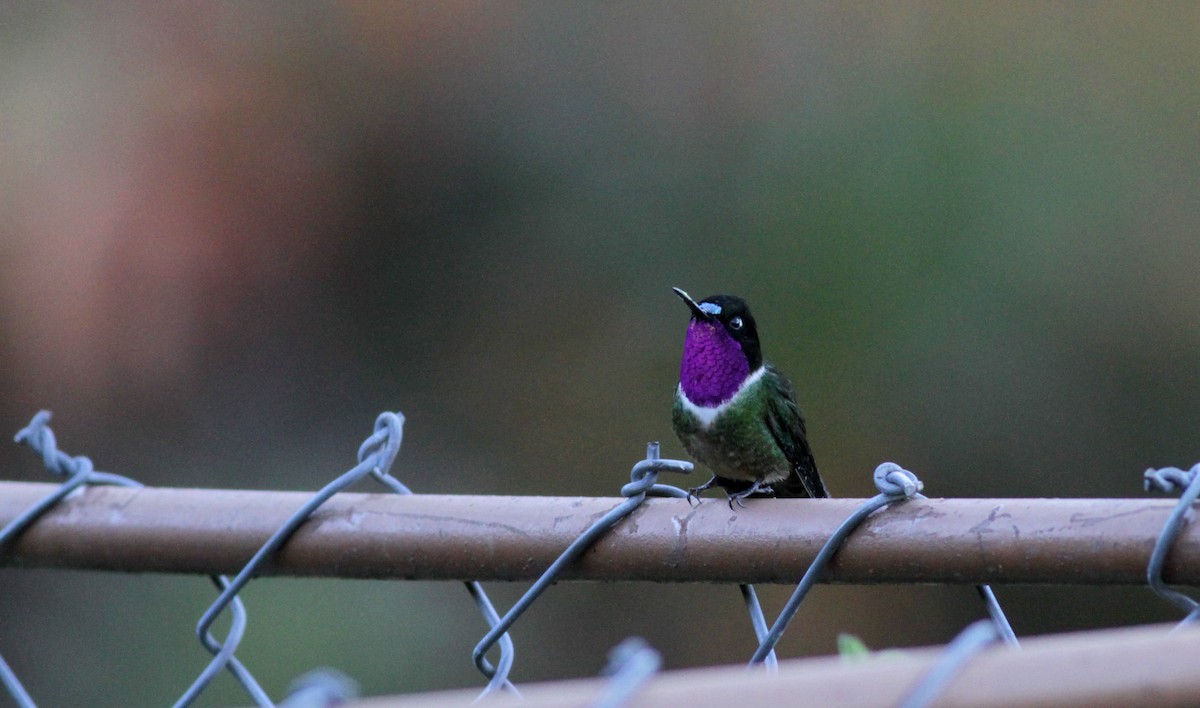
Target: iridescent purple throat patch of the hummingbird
713	364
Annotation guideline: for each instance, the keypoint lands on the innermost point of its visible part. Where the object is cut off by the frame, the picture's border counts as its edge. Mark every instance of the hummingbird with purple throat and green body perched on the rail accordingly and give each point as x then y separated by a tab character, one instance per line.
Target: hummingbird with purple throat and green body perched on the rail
737	415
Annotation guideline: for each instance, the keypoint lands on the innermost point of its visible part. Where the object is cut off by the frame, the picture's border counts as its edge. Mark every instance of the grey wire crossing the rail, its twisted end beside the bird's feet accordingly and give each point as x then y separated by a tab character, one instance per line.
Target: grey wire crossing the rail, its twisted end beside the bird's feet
644	478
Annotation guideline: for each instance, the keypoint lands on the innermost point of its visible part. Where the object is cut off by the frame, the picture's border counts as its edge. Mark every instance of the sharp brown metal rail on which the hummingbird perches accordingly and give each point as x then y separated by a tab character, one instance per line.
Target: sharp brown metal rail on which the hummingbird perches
441	537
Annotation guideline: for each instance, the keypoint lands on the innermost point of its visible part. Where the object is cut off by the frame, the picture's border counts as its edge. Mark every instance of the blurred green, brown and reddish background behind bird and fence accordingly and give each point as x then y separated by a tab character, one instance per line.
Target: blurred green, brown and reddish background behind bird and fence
231	235
